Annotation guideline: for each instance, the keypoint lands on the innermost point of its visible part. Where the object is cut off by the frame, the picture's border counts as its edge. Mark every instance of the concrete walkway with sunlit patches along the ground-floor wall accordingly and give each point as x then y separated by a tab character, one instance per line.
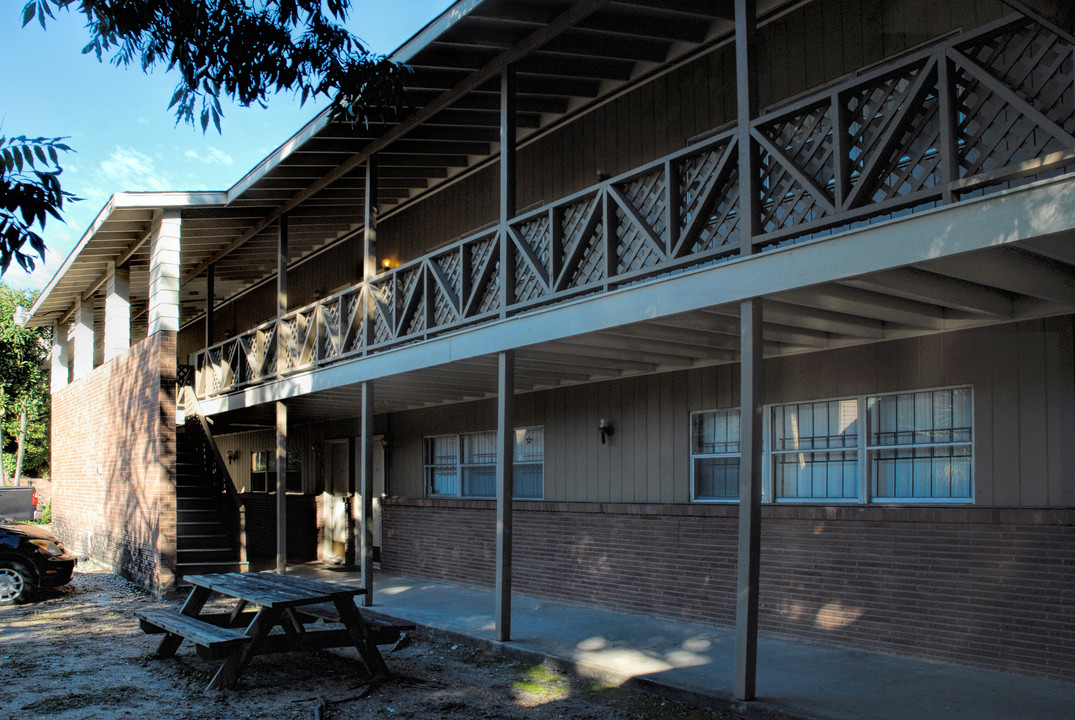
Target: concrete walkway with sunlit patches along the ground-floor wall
694	663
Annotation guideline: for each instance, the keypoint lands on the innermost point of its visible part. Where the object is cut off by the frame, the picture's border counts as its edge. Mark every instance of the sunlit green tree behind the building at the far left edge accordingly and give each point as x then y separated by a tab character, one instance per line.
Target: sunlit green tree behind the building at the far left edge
24	384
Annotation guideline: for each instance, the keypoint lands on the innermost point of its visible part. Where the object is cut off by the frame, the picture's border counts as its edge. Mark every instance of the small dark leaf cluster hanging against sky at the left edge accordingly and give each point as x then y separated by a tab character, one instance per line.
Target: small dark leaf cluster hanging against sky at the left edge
30	194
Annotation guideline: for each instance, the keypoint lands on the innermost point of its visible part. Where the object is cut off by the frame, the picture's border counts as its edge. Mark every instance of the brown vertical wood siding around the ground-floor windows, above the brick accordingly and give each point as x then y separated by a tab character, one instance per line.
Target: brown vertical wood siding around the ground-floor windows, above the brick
1024	415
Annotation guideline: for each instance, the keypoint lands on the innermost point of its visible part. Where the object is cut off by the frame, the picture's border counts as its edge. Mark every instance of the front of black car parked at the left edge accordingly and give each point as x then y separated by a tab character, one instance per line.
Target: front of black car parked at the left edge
31	558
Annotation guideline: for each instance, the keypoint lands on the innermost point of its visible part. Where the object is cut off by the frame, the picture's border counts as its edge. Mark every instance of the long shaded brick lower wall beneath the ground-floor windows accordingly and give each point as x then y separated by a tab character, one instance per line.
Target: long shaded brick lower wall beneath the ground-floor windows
981	587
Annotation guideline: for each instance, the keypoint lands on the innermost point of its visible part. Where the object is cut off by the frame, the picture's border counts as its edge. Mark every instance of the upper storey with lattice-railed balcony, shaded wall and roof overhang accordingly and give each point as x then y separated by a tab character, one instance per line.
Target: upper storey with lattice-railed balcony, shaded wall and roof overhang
896	183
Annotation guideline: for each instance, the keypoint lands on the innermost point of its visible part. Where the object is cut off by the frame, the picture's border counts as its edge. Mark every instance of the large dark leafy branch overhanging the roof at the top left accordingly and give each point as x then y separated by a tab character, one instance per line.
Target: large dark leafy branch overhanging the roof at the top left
247	50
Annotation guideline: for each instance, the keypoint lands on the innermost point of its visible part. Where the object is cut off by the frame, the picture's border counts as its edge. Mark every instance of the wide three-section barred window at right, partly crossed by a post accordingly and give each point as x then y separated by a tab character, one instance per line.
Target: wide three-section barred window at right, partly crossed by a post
897	448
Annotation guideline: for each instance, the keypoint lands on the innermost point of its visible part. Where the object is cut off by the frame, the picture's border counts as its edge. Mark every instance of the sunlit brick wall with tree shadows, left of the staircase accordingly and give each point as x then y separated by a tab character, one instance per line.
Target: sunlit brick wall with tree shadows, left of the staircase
113	463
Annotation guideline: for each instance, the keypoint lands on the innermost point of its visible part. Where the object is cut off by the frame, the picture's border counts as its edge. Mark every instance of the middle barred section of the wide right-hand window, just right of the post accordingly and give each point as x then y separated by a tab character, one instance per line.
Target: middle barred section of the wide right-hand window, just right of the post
814	451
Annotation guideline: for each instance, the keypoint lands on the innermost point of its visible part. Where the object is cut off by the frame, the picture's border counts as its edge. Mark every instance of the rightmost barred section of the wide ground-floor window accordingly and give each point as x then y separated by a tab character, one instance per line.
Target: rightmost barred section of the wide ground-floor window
920	445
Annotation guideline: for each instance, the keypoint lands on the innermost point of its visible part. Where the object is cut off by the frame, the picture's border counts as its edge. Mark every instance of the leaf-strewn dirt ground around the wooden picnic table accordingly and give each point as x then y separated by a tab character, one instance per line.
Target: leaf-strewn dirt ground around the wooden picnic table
78	653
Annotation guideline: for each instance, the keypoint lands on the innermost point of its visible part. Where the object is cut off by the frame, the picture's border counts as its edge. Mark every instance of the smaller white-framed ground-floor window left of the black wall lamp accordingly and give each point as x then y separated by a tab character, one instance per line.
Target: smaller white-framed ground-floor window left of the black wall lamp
466	466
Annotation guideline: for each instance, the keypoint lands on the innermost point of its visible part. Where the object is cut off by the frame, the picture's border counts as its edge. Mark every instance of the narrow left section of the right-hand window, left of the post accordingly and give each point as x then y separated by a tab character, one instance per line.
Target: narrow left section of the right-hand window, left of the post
714	455
